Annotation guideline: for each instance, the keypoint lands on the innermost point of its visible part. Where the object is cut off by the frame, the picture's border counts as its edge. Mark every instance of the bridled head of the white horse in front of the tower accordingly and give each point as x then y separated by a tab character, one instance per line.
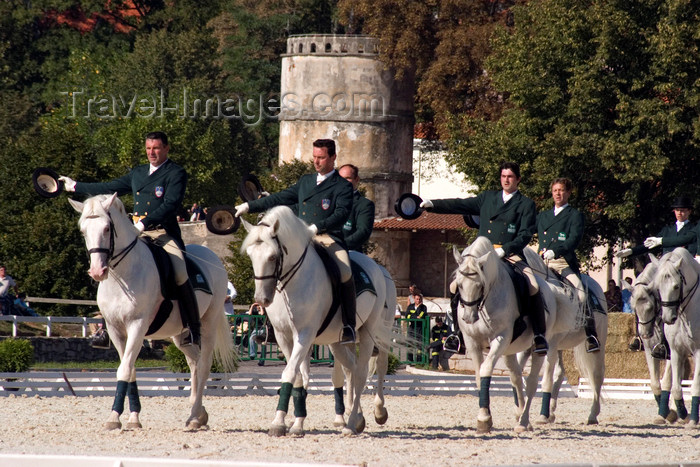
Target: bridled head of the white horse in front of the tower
274	246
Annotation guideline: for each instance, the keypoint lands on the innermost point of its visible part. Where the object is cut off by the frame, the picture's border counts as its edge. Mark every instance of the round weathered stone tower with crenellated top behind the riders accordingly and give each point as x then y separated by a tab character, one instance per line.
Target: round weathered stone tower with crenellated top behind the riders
334	86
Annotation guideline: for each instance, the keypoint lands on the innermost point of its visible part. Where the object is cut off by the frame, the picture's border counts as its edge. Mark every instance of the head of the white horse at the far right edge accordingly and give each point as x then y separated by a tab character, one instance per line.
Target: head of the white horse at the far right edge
677	282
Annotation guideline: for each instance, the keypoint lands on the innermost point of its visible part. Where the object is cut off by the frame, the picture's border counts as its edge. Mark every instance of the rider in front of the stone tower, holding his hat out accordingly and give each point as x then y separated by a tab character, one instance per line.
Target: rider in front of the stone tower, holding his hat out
324	201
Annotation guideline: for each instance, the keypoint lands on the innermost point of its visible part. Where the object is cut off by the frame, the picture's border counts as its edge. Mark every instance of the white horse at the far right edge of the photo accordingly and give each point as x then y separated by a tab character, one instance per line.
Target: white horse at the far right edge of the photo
677	280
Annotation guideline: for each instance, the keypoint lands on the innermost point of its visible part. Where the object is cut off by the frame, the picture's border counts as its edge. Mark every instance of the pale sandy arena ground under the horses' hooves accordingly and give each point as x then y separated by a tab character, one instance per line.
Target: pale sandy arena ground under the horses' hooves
429	430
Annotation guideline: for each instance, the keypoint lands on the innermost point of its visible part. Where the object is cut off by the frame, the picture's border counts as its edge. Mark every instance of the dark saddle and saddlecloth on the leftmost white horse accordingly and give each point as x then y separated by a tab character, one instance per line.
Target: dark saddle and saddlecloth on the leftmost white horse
168	287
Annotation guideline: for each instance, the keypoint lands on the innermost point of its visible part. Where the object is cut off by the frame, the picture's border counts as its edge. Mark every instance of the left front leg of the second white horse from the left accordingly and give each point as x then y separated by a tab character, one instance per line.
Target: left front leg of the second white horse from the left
294	352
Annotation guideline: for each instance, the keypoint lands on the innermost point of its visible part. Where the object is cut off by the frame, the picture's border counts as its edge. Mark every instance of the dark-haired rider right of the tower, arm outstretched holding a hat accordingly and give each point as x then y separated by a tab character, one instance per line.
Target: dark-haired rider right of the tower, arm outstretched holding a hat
507	219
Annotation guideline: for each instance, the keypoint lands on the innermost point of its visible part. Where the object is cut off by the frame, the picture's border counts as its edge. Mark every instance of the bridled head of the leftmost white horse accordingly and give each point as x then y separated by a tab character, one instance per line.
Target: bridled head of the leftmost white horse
97	227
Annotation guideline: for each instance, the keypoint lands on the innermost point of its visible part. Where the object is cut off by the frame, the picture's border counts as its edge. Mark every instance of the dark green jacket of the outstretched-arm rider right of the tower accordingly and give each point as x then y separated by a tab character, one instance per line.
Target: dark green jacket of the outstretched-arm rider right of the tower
510	225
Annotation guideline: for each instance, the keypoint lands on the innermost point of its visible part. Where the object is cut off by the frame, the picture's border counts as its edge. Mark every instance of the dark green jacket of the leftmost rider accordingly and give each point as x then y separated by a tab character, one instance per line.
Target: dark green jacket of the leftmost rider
157	196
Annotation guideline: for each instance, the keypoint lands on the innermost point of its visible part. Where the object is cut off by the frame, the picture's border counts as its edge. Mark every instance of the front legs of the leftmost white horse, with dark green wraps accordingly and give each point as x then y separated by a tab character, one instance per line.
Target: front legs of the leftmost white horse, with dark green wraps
126	385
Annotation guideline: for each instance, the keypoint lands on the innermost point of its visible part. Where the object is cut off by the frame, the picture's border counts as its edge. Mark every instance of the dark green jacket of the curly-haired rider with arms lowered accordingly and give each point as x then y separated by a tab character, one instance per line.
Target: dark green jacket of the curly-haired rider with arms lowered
561	233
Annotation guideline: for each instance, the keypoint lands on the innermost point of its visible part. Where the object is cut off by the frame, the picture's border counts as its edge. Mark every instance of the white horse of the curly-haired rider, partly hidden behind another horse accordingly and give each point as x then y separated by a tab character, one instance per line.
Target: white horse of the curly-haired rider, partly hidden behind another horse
566	336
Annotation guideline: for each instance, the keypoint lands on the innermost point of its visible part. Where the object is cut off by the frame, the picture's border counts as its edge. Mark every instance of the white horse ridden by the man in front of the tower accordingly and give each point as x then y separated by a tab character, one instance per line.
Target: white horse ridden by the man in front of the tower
292	284
